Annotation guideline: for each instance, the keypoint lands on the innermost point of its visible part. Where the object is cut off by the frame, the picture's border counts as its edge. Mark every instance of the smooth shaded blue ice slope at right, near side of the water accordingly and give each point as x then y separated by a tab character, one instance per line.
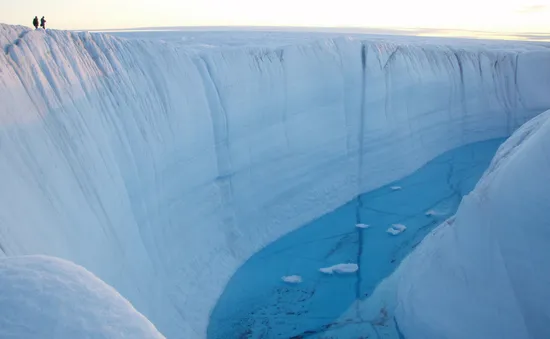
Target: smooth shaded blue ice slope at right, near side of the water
488	275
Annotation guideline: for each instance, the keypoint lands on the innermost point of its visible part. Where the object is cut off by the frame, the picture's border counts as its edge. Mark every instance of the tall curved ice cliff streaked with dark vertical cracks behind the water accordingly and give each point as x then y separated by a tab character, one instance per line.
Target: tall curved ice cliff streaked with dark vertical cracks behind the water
162	169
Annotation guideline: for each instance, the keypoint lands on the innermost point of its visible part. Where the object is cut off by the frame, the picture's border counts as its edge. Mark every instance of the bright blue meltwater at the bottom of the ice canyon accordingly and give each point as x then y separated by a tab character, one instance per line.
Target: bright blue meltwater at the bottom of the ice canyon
258	304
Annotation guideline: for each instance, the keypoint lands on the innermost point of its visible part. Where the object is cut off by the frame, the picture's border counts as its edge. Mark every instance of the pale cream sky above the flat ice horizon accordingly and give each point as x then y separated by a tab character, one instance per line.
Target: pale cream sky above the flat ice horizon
517	16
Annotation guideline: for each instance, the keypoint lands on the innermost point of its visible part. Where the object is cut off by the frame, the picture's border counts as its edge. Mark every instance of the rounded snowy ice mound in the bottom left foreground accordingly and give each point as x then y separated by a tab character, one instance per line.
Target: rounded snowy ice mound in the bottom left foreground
45	297
